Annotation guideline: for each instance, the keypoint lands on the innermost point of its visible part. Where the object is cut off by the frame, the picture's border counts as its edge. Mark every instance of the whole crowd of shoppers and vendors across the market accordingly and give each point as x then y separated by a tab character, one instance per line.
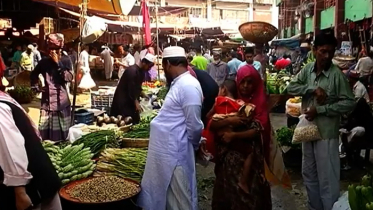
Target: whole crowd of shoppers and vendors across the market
247	158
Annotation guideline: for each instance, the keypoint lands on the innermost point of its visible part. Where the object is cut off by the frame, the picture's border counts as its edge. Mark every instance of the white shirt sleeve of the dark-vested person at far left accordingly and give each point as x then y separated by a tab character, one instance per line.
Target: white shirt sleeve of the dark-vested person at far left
13	161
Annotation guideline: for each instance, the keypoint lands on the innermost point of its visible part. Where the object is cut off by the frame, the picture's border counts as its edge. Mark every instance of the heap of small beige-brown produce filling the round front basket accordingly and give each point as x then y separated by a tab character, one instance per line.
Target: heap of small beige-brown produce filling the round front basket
104	189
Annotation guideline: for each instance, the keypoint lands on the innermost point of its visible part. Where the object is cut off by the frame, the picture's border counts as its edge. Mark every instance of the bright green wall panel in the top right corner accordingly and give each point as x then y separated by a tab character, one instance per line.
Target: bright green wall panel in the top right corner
356	10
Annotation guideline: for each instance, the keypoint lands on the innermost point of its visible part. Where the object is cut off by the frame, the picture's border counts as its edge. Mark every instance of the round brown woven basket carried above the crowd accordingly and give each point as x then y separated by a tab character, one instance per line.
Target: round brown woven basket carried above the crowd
258	32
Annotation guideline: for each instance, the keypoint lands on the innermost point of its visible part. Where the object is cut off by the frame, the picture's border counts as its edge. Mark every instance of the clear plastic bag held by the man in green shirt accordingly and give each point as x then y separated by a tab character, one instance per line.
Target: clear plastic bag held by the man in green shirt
305	131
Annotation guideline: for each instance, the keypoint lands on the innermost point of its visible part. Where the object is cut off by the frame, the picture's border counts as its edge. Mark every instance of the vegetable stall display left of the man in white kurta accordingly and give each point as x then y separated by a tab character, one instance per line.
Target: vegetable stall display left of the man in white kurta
107	157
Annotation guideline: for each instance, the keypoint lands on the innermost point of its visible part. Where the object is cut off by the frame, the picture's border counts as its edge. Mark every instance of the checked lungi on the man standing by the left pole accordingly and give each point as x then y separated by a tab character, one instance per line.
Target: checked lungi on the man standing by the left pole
54	125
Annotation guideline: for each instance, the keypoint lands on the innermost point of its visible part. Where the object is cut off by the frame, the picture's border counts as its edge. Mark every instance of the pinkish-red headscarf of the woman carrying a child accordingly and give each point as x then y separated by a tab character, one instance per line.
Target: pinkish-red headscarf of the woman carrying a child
259	99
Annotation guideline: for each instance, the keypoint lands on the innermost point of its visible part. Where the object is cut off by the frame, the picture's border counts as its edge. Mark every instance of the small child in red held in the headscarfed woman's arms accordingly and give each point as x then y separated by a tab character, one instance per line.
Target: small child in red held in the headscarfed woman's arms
225	106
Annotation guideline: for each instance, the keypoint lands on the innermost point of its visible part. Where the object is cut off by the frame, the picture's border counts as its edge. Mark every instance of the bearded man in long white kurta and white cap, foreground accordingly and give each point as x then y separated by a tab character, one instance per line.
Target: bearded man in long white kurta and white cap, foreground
169	180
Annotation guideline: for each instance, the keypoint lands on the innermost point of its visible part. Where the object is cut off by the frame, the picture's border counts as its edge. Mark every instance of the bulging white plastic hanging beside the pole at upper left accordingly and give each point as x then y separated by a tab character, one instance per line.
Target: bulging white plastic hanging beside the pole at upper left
93	28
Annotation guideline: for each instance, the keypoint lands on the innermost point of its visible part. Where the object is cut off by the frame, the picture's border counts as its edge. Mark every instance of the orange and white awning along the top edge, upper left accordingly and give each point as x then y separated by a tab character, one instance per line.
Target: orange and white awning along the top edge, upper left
121	7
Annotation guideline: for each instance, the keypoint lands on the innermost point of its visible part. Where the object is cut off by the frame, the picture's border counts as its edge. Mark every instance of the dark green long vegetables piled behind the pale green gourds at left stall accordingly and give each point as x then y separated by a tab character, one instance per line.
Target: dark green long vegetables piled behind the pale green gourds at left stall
98	141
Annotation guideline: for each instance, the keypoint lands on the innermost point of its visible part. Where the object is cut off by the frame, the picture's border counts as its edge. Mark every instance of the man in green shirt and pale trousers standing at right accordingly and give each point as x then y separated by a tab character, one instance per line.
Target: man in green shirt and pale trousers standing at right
326	95
